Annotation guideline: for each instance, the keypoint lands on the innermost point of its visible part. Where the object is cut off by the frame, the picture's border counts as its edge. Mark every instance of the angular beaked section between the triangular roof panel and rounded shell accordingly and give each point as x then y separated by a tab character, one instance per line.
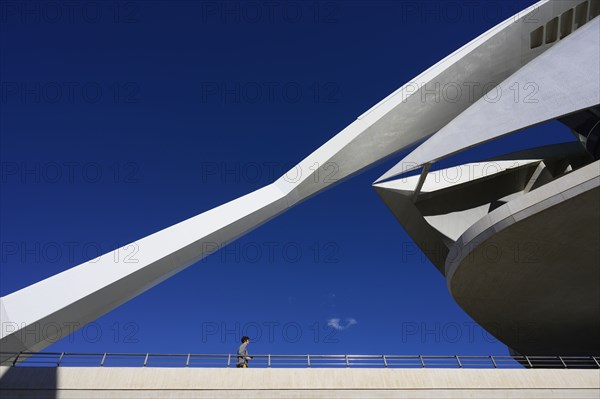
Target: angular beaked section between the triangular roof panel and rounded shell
435	207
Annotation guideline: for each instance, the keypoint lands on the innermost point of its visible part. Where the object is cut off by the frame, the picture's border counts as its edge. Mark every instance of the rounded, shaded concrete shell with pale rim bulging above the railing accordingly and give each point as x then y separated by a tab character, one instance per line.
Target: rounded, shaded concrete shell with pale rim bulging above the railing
528	272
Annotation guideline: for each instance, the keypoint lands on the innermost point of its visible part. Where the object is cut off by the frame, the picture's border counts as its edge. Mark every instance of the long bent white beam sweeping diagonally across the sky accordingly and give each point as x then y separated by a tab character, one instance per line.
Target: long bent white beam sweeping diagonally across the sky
86	292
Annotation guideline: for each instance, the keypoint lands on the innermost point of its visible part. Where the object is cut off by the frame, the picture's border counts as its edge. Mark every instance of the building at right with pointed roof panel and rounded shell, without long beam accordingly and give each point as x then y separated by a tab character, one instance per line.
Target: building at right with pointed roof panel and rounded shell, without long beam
518	237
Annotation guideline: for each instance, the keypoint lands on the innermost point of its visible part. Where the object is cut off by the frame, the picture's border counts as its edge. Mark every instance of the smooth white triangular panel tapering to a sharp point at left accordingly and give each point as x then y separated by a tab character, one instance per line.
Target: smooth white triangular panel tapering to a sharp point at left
561	81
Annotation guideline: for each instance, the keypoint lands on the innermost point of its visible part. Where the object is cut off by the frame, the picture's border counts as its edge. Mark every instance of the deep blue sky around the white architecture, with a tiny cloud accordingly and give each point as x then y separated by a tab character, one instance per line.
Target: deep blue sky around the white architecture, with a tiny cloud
118	120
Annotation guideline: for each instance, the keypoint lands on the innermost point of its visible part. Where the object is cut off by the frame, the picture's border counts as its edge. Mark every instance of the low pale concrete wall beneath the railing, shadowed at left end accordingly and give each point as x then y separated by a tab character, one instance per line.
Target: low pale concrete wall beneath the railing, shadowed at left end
100	382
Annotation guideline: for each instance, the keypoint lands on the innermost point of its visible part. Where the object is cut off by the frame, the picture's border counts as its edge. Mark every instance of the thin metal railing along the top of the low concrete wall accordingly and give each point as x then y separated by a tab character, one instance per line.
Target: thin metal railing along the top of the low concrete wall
67	359
